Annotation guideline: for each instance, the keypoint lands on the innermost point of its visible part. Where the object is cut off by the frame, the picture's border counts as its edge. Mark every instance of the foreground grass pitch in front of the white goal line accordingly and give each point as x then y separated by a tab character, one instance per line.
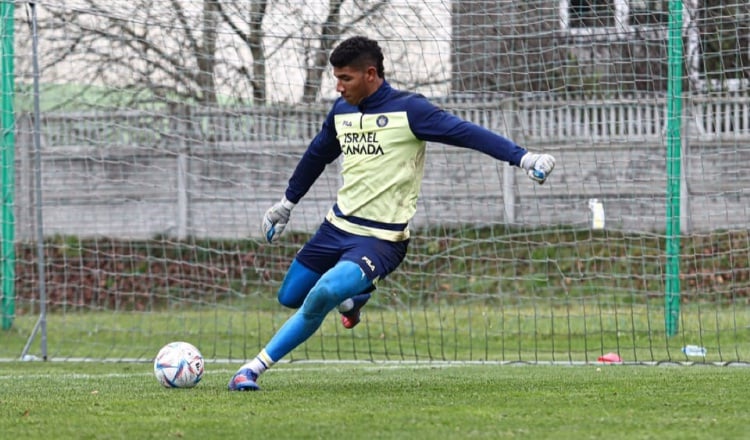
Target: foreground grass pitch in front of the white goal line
65	400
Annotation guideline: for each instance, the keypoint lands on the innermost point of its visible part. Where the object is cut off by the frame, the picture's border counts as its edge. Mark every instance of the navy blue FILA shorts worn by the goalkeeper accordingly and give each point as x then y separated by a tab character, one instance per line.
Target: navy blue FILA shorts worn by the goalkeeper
329	245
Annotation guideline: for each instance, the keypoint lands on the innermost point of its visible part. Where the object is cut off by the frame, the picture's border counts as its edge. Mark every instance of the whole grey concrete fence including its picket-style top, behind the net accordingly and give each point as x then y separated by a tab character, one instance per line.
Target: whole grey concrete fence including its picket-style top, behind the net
197	171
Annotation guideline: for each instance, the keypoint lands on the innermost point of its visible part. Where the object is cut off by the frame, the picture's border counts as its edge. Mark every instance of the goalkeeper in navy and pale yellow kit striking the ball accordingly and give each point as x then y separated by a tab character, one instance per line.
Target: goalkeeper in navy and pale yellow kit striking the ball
381	133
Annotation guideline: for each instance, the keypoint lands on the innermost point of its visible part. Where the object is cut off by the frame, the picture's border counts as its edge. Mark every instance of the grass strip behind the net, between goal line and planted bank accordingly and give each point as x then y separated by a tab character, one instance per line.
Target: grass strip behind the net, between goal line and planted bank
509	333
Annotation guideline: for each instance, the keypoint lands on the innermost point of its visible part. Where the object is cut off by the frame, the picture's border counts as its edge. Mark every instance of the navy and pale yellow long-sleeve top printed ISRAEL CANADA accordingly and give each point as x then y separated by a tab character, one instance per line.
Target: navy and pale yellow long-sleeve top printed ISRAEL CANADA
383	145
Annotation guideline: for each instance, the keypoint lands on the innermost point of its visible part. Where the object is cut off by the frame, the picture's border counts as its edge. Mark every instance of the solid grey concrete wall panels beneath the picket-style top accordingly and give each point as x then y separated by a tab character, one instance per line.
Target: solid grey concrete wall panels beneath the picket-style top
222	189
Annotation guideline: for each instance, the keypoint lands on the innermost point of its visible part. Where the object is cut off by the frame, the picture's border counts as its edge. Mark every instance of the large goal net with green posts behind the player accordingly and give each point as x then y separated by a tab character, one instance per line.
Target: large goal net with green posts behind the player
136	179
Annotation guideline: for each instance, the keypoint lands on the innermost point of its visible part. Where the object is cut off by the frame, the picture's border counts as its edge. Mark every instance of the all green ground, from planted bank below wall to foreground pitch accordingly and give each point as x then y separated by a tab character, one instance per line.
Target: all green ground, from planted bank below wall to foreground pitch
494	301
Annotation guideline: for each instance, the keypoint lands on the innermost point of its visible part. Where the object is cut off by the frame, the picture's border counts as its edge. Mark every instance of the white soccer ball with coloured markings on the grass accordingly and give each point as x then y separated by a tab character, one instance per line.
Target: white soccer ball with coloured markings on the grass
179	365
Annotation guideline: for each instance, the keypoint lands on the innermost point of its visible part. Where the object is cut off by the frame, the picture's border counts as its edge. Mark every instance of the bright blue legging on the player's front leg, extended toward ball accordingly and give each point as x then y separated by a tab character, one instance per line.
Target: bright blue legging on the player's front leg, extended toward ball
343	281
